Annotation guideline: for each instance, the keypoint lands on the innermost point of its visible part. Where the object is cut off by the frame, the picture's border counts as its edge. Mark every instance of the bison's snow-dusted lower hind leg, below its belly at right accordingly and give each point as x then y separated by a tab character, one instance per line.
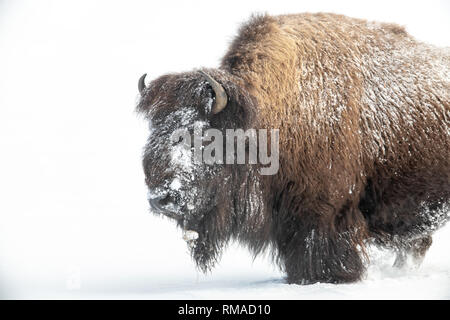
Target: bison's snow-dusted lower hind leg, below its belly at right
416	248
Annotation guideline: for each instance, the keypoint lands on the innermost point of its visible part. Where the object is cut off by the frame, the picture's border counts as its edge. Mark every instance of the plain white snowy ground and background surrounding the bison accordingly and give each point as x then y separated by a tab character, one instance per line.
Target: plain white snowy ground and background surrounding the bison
74	220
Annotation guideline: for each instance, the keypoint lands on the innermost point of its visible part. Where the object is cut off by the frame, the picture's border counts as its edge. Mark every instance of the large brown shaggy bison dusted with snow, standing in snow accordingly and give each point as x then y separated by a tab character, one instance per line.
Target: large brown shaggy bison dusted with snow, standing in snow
363	114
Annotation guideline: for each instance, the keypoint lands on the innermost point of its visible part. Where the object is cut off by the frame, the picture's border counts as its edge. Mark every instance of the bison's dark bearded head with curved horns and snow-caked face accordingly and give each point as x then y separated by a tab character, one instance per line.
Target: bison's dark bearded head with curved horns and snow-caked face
199	196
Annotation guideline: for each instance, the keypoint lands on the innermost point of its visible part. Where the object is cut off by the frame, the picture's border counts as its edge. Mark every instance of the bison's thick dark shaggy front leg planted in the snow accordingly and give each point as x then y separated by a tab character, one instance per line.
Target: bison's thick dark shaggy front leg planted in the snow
320	256
